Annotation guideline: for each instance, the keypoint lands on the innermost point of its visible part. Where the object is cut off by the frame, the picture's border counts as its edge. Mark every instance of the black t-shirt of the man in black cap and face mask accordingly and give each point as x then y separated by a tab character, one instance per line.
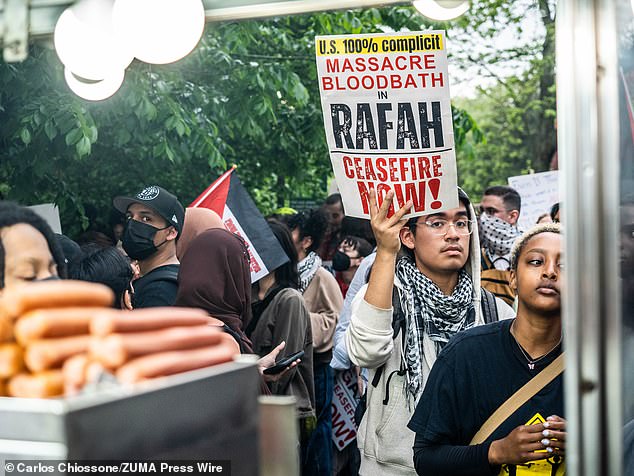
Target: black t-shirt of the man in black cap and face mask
157	288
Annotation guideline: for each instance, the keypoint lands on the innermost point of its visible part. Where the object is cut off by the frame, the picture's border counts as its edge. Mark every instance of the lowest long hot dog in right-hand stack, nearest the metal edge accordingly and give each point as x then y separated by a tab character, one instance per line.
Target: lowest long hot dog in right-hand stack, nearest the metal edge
169	363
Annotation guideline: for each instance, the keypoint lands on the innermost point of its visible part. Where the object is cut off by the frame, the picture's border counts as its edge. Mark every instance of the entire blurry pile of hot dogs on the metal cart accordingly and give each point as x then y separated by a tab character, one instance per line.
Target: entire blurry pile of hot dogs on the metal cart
67	336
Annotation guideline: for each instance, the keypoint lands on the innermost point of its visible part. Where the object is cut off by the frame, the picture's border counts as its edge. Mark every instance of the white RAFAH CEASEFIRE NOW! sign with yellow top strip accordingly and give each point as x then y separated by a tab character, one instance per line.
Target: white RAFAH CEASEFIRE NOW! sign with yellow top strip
387	115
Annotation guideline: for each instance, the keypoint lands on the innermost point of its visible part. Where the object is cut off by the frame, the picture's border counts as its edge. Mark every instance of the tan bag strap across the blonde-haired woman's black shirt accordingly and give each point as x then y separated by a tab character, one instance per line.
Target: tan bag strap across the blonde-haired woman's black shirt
518	399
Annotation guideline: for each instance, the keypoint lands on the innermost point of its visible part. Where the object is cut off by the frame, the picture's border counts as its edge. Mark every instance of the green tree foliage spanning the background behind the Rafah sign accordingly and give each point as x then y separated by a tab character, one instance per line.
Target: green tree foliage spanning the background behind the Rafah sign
248	95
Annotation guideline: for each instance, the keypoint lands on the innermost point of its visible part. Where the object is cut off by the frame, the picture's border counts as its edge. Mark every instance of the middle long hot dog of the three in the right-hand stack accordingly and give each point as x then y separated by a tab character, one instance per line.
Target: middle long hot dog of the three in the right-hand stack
116	349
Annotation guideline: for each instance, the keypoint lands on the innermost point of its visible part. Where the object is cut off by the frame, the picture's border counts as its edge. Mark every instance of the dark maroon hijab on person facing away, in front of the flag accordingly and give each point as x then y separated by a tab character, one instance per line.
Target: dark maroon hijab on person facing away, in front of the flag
214	275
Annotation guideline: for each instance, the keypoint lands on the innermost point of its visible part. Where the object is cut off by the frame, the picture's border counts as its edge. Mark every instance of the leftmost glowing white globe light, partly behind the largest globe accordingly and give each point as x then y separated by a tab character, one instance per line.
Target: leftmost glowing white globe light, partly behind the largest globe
86	43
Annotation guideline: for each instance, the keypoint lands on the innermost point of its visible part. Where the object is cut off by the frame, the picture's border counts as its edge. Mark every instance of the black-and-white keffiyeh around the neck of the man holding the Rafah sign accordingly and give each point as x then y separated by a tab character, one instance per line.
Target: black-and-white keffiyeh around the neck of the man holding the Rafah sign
432	318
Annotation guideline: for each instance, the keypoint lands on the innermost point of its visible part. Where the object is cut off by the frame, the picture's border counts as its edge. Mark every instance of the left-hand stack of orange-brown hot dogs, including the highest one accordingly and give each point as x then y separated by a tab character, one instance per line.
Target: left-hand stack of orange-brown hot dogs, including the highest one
50	322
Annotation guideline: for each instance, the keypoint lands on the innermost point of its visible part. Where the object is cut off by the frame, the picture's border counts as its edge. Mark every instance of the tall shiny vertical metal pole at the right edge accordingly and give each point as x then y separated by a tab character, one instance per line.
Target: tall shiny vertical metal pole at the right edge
587	112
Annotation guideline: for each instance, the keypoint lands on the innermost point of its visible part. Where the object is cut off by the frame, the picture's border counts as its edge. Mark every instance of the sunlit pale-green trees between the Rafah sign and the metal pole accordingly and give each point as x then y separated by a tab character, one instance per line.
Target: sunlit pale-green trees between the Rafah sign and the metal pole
516	114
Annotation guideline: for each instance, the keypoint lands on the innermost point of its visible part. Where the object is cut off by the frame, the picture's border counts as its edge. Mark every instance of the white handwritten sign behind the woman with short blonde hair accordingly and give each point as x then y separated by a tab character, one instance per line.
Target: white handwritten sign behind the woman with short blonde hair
538	193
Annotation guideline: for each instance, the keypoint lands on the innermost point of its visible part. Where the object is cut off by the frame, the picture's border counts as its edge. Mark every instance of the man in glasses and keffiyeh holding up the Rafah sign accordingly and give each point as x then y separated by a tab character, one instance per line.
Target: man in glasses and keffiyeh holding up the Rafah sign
413	304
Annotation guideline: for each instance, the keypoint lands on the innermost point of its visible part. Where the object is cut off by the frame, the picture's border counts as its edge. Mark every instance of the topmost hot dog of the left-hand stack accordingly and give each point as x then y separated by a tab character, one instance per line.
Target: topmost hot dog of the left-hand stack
48	294
